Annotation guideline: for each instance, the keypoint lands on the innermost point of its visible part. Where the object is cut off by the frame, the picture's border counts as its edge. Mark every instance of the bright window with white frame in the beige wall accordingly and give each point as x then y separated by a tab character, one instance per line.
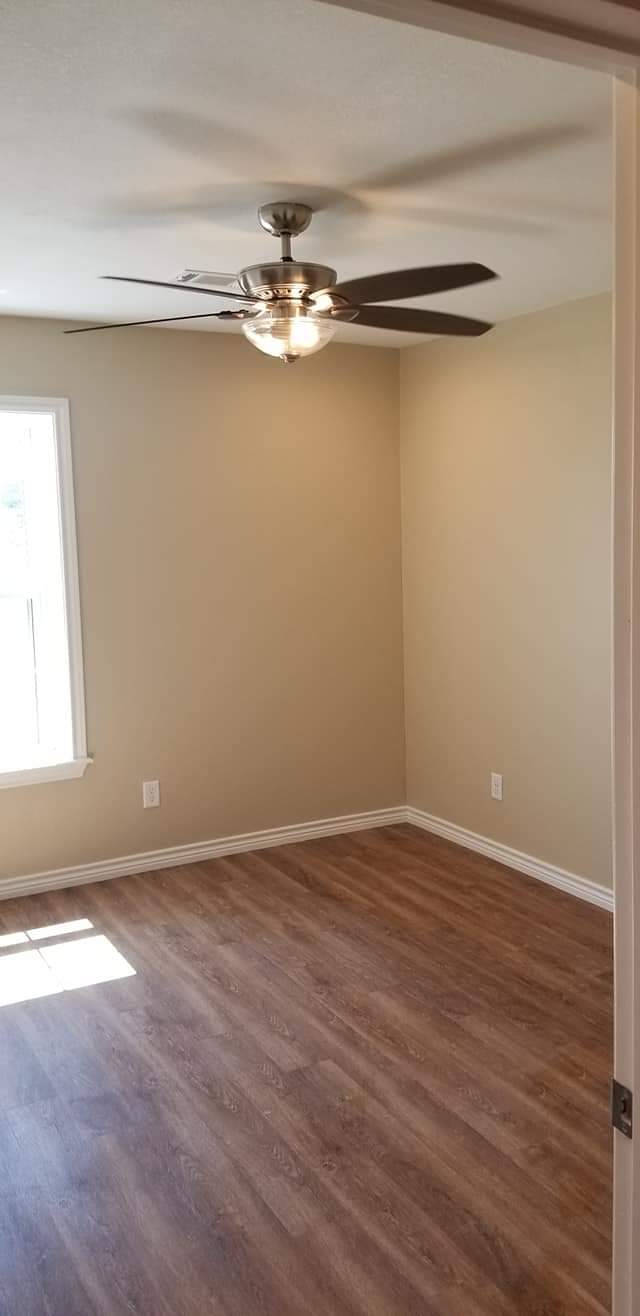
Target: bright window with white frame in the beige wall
41	681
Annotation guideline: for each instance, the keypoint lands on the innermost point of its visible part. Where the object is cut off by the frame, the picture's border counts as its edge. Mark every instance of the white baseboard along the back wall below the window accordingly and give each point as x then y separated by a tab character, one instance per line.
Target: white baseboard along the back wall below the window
194	853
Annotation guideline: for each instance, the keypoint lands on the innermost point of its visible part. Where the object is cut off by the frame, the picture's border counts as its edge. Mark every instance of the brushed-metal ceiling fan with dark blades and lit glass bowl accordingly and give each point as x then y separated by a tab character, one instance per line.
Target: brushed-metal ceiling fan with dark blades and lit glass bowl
293	309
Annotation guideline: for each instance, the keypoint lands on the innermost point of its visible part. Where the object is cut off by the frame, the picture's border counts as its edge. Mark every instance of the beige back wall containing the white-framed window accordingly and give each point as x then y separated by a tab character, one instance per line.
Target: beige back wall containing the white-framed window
240	576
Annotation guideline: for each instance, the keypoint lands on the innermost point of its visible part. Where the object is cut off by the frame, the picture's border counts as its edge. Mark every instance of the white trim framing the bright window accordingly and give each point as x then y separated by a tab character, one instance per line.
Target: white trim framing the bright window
78	765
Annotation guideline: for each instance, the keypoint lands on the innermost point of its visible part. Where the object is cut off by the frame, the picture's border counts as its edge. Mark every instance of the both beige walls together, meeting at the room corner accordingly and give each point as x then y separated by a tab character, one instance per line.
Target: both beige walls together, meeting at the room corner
240	570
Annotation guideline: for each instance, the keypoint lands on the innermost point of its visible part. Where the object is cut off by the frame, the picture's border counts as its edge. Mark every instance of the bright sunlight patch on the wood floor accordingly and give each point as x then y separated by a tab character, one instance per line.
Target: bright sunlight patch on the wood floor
63	967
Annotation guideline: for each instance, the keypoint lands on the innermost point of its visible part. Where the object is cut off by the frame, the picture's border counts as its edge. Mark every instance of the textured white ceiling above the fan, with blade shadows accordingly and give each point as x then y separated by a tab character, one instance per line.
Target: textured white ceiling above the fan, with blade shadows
140	136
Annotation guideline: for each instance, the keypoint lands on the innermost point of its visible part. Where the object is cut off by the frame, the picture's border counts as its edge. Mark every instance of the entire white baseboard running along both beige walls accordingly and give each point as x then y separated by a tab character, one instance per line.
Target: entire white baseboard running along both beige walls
200	851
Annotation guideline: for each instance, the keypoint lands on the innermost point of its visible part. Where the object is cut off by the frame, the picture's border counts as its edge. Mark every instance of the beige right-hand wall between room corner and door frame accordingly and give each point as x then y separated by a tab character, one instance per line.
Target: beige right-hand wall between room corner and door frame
506	574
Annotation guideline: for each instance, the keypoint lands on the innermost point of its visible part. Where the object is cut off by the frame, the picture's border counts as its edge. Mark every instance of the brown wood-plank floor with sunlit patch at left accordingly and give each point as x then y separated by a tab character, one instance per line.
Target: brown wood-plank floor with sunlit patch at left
365	1075
